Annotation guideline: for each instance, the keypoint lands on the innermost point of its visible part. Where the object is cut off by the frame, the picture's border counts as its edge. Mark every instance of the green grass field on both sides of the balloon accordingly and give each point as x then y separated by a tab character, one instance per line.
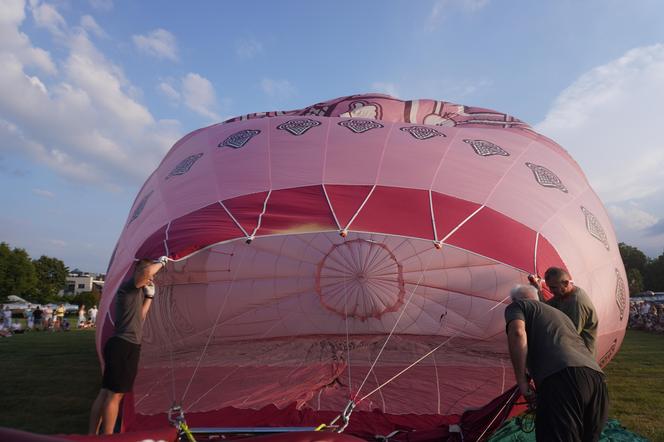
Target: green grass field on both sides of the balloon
49	380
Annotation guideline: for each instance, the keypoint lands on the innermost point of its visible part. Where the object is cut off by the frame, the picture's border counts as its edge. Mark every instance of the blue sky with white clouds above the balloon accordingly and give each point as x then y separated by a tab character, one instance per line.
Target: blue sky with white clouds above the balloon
94	93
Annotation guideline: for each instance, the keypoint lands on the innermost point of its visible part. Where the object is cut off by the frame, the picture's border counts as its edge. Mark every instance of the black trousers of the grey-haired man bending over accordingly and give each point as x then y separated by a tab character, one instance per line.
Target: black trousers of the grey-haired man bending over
572	405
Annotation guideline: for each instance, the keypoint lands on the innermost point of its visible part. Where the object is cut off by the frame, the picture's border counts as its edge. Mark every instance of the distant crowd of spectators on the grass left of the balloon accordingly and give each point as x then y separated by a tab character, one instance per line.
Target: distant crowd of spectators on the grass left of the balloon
42	318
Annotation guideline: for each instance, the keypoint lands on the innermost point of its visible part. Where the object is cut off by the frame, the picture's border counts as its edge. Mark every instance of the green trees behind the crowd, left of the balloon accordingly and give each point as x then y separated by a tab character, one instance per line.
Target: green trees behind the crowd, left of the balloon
36	280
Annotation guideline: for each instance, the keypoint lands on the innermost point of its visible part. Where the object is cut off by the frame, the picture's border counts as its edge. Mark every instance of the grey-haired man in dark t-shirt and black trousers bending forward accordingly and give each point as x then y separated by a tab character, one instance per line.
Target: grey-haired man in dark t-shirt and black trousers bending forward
571	394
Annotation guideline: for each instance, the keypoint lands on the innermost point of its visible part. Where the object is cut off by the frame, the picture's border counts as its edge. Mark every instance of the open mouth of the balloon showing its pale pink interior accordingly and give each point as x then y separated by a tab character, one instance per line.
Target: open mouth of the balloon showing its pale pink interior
301	318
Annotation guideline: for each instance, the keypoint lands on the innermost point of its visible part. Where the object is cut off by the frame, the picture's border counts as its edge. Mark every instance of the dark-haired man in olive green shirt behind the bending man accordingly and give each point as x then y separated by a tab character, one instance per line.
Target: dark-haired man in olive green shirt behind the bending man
571	300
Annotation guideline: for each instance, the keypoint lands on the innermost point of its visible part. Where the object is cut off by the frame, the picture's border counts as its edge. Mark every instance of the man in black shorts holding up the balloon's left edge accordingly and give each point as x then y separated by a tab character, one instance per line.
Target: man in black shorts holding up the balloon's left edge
122	350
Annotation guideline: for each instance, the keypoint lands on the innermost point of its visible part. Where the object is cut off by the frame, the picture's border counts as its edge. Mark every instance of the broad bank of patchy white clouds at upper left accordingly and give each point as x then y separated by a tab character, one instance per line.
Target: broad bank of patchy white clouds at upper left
85	122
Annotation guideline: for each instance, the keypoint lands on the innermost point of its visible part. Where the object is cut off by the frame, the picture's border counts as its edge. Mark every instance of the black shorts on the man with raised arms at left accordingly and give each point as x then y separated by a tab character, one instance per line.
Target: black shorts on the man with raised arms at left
120	365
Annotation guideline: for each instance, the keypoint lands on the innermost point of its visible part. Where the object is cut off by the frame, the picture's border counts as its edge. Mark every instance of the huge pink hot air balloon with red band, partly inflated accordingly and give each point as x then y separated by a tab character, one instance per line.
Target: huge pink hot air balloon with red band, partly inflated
350	262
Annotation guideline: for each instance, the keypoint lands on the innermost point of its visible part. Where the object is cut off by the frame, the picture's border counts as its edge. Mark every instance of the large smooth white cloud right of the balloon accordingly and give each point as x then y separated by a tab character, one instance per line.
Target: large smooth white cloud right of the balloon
608	120
